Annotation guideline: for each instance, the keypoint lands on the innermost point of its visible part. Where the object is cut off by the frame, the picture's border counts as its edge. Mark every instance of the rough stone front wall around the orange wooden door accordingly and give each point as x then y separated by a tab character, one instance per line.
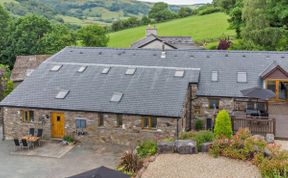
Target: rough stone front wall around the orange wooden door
130	132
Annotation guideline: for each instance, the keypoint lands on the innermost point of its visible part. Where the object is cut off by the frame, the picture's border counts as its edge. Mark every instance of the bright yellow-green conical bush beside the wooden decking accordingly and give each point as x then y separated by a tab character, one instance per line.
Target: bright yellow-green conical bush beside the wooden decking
223	126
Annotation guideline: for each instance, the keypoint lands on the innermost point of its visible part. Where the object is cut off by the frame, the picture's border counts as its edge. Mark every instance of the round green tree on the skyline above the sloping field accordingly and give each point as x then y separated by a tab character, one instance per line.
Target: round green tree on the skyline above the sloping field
160	12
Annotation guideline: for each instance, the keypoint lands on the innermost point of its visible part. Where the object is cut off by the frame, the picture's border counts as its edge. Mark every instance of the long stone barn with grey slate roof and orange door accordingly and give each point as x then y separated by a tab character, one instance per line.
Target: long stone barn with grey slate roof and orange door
126	95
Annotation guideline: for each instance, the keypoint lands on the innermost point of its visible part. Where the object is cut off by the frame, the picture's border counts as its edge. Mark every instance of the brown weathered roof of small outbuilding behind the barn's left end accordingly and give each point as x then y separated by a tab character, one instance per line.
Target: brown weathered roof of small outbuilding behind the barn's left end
25	65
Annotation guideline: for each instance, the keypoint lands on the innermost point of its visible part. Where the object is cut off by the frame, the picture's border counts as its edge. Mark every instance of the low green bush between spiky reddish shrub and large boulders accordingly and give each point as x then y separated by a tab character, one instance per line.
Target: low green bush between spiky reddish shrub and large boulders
147	148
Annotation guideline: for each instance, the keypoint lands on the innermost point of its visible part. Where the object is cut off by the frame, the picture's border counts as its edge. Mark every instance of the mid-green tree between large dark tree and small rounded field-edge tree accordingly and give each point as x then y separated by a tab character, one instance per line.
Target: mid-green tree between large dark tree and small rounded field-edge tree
59	37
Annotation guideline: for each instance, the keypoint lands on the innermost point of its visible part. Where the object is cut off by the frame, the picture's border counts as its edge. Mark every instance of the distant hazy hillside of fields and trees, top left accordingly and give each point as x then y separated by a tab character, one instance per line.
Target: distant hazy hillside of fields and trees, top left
79	12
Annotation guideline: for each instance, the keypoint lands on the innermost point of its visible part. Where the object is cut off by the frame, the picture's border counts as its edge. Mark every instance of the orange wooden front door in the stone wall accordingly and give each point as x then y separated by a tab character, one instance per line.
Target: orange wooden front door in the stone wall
57	125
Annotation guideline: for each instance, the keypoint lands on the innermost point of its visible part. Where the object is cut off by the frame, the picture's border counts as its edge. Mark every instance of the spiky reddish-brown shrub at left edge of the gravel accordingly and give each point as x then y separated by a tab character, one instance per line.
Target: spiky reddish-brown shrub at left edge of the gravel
130	163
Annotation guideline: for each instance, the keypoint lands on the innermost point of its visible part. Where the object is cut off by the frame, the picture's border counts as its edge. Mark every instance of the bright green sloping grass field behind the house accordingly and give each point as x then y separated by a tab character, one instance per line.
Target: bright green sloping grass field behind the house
202	28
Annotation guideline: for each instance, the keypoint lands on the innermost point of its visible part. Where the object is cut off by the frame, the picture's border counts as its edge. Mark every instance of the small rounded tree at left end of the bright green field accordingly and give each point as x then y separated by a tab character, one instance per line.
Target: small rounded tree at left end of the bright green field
93	35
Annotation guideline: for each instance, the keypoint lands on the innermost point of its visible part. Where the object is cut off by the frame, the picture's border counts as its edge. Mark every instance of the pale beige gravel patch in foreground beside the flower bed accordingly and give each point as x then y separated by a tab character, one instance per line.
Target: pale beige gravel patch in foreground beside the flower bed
199	166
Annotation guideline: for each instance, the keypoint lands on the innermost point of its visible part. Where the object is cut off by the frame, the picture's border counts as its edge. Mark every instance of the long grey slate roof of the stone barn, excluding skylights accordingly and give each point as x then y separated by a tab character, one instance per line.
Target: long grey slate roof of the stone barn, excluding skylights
152	90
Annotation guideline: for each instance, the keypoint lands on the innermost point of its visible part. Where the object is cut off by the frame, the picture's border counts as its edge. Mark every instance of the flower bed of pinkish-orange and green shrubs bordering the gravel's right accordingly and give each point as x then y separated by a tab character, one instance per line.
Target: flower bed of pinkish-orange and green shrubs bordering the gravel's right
271	161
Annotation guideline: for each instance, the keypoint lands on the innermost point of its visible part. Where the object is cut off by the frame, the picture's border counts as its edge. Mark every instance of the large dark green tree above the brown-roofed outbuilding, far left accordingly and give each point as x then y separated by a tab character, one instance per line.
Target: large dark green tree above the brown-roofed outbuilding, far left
24	38
